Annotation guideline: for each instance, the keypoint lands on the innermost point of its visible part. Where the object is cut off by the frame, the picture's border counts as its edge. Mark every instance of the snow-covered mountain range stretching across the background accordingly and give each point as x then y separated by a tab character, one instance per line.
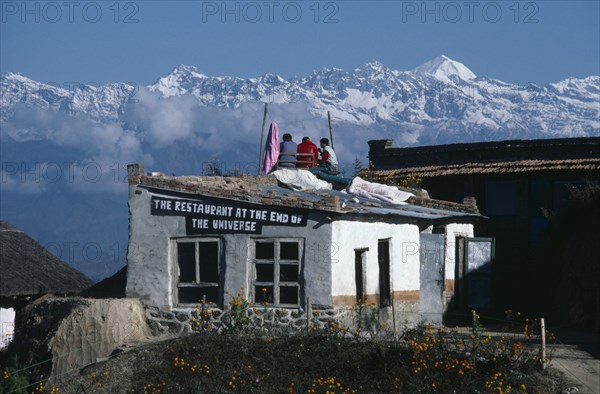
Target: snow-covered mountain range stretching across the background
441	93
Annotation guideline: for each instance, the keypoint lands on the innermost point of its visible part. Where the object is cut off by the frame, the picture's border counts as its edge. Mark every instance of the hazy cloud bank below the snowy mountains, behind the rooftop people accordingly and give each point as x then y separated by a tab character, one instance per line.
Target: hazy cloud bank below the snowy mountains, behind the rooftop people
174	135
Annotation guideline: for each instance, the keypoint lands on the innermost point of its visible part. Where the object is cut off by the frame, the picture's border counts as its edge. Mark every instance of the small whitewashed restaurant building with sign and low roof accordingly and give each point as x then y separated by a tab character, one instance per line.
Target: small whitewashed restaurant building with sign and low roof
191	237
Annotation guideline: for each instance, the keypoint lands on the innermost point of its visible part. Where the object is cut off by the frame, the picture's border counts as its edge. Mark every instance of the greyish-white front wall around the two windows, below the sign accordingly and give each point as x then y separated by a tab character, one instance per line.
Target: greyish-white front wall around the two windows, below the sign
152	271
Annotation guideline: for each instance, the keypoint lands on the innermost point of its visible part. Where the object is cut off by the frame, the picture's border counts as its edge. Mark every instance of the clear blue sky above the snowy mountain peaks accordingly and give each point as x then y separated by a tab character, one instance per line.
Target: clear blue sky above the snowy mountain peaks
139	41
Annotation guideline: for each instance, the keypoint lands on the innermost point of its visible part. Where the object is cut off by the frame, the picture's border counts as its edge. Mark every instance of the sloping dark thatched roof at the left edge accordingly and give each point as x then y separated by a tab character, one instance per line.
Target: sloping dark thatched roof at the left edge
28	269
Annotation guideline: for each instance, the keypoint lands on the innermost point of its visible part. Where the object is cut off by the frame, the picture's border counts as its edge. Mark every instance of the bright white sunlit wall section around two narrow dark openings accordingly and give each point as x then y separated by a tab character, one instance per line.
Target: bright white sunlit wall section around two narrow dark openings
404	255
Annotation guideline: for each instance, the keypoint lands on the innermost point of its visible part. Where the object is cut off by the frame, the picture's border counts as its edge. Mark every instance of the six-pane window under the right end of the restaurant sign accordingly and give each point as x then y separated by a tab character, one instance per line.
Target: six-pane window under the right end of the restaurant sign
276	270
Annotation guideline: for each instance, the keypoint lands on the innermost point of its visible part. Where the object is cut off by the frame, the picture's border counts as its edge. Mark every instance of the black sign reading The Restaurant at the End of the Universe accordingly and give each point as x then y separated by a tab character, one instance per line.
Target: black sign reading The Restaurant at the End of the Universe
208	217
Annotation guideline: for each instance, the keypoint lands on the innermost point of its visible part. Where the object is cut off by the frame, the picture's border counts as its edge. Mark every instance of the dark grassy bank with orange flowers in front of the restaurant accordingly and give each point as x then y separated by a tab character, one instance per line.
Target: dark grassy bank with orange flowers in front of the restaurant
231	363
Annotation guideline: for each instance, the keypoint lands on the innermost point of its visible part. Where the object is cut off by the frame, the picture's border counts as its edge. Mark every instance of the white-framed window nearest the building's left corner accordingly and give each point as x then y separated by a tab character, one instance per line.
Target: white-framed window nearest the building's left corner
198	265
